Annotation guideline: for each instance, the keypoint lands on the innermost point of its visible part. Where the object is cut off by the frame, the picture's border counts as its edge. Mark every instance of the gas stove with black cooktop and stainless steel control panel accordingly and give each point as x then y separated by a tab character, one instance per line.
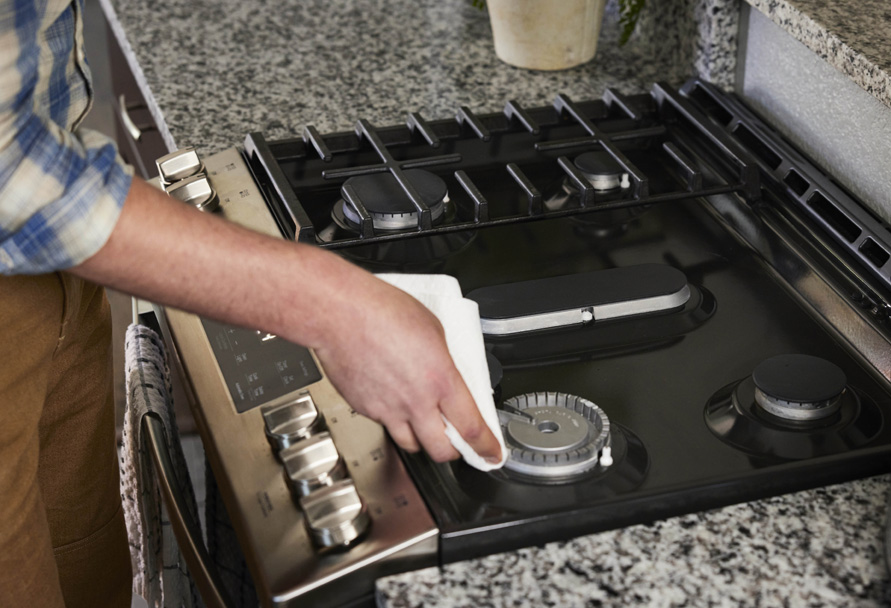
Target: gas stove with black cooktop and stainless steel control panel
680	312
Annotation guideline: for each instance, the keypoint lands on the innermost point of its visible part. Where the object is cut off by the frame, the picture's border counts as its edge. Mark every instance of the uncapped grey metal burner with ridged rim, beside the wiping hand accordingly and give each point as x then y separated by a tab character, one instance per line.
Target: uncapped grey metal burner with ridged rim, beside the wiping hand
554	435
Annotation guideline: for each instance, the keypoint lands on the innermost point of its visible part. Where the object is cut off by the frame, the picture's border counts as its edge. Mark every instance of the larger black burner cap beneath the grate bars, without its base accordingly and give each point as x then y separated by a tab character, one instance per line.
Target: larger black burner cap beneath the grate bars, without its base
382	194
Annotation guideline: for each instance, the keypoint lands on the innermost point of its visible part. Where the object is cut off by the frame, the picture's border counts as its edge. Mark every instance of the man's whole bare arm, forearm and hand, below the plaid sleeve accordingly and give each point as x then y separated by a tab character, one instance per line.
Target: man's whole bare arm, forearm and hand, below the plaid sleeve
381	348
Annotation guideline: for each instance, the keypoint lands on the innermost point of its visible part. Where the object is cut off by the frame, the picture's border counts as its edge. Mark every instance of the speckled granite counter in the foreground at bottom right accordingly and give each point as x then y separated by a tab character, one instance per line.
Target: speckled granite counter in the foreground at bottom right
816	548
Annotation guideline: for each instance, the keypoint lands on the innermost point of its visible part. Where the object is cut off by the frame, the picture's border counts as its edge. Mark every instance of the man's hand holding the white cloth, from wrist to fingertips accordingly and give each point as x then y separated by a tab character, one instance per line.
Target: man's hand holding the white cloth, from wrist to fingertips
387	355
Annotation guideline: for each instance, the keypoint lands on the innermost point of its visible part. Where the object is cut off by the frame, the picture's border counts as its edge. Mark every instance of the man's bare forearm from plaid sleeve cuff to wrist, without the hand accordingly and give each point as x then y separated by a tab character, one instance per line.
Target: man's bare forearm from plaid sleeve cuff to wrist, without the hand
170	253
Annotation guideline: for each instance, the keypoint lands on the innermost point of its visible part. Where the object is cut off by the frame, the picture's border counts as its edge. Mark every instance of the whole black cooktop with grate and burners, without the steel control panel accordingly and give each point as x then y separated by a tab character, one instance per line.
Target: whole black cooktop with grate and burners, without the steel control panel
677	421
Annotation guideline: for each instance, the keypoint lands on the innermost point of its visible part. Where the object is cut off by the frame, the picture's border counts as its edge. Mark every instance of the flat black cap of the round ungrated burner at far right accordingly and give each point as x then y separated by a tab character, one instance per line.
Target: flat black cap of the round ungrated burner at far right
799	378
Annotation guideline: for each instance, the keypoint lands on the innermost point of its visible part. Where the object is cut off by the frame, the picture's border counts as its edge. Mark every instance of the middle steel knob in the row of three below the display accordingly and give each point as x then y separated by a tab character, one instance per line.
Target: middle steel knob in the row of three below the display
312	464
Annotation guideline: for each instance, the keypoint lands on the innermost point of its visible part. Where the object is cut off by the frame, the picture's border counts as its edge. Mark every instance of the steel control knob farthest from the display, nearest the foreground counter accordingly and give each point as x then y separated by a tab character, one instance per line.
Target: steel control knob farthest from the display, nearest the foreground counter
336	515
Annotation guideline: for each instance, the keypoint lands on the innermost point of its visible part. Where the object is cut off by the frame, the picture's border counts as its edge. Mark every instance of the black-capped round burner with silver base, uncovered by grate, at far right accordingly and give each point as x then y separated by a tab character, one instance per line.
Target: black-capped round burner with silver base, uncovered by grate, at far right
799	387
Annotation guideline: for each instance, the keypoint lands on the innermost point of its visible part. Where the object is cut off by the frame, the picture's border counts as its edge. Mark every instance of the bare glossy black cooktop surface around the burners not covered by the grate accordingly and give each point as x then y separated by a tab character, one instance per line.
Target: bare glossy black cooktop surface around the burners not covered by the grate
676	386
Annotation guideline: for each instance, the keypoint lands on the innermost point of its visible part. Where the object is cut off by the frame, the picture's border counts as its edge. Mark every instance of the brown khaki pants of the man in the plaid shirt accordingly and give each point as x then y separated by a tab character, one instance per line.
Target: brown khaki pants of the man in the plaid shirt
62	535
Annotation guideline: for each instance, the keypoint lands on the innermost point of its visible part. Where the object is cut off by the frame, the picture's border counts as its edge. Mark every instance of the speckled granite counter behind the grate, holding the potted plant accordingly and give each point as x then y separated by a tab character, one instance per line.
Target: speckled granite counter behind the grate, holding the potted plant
216	70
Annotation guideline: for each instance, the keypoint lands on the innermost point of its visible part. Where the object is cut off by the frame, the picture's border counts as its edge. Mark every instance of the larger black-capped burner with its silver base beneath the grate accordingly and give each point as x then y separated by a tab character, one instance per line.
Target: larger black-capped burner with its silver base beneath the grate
387	202
